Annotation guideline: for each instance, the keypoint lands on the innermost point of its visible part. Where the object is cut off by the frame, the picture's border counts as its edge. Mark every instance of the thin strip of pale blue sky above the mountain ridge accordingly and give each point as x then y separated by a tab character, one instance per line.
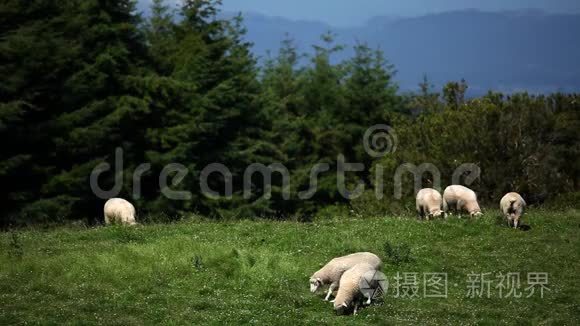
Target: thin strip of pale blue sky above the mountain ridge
356	12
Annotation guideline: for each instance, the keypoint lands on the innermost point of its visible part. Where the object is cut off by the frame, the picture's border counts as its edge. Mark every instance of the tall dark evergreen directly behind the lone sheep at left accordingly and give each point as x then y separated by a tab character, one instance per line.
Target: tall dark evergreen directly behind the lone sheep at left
103	112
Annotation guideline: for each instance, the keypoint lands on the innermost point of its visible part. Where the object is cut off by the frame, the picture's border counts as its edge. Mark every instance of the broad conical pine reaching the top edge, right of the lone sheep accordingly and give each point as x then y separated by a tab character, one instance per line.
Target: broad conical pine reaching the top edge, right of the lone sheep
221	119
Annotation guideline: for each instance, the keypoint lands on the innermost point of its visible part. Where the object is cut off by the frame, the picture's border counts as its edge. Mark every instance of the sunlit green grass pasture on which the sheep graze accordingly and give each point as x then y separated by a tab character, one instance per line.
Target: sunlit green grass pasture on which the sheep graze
257	271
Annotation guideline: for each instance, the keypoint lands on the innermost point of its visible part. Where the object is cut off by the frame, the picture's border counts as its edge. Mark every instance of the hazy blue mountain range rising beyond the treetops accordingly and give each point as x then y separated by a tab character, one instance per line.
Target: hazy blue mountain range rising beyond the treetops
508	51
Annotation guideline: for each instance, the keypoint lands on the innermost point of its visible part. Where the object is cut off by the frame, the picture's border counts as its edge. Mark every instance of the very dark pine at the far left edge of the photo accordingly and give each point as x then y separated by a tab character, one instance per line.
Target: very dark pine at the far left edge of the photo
37	55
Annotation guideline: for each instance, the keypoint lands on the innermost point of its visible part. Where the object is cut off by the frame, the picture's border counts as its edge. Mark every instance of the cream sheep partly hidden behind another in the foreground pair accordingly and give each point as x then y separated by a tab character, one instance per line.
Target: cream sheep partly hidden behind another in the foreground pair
333	270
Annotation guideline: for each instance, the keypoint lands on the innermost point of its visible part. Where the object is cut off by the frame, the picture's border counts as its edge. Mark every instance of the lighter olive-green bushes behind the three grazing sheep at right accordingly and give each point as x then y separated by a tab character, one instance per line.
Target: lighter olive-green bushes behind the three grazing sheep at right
520	142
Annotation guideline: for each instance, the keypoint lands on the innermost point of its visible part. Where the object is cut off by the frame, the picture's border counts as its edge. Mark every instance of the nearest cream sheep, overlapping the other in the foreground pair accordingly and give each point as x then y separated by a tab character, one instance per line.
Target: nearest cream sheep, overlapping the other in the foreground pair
356	284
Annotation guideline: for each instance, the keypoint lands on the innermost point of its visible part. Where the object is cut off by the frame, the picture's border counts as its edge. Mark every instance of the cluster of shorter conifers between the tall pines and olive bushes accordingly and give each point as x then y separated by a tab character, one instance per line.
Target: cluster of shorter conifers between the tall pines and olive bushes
322	111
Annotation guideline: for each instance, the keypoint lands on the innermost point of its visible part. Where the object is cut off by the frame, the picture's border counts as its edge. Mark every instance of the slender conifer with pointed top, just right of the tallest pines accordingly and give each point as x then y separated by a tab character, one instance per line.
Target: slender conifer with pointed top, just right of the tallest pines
284	84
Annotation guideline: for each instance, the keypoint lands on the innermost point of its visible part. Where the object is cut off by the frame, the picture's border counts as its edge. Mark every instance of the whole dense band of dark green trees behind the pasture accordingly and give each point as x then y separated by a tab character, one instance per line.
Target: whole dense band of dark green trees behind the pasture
82	79
